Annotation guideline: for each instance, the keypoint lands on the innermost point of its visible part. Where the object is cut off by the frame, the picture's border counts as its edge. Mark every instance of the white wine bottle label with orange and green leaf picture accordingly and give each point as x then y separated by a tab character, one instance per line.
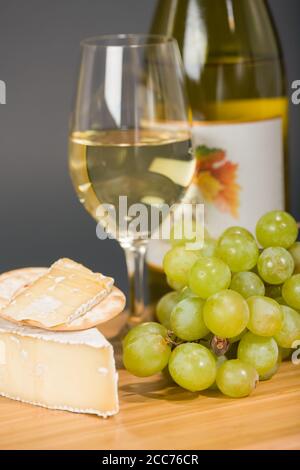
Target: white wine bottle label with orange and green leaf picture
240	171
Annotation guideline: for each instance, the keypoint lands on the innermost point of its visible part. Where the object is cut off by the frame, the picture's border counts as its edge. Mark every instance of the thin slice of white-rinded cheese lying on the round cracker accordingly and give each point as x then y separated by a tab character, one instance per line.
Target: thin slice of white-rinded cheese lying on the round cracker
64	293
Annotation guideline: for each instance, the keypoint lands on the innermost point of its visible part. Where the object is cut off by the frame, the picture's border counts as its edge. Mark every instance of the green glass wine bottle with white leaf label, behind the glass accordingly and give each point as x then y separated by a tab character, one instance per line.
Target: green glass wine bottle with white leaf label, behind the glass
236	84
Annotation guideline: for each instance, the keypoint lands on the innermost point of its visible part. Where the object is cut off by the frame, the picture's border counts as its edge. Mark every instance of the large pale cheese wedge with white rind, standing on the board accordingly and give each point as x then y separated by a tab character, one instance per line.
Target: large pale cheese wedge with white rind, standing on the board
65	371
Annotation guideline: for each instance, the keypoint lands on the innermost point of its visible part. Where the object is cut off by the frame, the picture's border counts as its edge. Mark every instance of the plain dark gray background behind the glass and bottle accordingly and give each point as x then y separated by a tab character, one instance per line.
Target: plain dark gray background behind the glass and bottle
40	217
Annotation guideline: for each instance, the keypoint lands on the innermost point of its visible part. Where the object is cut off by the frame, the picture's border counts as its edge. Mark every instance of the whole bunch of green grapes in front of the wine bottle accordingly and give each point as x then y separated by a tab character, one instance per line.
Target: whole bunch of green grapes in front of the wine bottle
233	315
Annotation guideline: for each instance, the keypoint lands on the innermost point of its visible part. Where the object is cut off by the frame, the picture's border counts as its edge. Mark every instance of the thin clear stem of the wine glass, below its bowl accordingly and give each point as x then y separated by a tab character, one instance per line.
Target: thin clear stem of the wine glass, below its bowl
135	253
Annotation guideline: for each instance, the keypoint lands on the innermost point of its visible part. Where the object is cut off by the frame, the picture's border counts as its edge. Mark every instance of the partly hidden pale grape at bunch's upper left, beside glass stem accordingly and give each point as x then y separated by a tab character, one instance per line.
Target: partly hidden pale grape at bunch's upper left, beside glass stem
177	264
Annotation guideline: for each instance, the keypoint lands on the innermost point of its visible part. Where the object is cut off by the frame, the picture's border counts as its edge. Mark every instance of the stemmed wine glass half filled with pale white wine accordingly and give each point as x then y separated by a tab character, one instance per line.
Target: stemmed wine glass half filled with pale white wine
130	139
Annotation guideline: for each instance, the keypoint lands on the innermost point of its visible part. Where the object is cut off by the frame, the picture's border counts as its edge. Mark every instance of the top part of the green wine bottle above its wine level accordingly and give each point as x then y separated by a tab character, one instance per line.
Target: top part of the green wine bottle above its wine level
225	28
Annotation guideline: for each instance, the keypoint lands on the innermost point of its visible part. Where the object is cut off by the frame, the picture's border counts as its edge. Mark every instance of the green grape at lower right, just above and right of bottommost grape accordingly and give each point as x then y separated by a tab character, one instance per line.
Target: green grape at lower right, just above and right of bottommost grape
262	353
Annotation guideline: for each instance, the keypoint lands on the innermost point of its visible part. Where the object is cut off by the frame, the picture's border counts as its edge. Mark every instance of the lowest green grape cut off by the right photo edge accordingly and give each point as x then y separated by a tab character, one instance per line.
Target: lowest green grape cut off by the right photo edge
290	330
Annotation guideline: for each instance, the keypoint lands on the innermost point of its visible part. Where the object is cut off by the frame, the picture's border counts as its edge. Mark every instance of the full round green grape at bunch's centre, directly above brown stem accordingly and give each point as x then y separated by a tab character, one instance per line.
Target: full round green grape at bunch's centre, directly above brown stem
226	313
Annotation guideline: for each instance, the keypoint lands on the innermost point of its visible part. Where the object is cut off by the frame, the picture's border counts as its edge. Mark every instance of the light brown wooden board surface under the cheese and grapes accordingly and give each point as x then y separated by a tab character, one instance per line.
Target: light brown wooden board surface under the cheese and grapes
155	414
